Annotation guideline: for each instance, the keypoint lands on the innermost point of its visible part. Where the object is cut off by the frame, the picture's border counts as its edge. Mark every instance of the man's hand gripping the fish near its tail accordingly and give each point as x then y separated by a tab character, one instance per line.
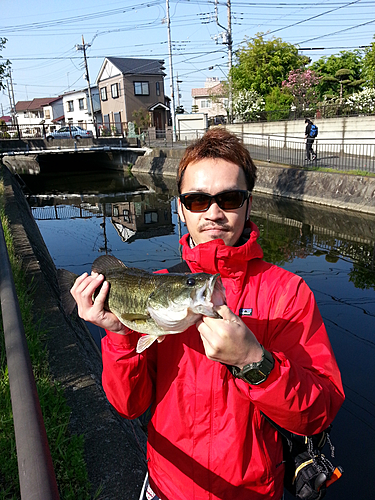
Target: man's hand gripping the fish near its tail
93	311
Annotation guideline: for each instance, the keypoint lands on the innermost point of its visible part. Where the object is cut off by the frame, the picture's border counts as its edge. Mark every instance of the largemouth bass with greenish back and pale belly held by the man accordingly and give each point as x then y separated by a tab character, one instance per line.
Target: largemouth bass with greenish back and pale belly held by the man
153	304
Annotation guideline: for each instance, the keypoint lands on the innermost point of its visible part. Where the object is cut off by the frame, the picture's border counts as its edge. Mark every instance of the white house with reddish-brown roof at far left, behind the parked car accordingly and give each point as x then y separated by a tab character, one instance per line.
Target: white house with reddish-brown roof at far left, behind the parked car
39	115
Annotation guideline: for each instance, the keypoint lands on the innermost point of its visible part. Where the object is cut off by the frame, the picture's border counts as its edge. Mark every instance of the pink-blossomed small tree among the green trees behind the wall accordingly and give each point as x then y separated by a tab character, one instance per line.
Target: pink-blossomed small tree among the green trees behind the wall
302	85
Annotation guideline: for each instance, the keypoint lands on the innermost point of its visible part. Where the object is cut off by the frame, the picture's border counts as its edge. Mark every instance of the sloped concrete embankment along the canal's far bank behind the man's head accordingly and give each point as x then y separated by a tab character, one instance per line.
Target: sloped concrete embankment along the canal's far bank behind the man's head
339	190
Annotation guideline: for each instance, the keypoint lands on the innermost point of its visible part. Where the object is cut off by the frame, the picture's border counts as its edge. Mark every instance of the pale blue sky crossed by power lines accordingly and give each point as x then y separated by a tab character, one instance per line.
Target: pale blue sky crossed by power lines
42	36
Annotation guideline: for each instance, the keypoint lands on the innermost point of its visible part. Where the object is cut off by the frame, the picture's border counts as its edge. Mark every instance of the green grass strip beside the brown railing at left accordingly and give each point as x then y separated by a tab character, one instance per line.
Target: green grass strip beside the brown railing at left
67	450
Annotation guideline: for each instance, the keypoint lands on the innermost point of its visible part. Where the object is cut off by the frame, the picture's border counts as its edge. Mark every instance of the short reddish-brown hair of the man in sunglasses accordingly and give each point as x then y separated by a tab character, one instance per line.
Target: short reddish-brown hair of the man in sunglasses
218	143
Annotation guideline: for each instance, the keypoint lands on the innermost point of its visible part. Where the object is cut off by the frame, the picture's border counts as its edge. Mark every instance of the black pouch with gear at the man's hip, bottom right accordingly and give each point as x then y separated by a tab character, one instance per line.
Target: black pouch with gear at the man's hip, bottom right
308	472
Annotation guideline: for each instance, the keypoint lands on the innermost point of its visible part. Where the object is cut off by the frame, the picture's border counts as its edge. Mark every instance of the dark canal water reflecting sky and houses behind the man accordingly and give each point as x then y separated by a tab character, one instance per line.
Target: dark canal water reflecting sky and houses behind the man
83	216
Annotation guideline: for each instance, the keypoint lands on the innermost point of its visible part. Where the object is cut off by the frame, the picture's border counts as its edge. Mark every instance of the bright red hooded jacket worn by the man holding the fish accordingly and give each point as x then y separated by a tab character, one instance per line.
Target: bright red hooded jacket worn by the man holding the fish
207	438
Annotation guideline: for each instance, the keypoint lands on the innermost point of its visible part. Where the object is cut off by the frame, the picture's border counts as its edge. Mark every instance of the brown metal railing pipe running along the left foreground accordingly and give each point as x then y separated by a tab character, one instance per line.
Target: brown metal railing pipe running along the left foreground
36	474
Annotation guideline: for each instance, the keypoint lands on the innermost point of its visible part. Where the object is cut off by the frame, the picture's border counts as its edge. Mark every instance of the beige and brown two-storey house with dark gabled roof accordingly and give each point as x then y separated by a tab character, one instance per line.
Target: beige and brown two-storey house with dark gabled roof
132	90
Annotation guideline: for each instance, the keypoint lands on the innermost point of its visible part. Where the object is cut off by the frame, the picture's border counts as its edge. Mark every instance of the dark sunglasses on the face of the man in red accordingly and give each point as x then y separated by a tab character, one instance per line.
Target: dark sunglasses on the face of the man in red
226	200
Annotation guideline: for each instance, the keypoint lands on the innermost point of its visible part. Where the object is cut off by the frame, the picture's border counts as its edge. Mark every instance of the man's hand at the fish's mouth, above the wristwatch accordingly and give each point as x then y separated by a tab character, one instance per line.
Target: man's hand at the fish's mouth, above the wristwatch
229	340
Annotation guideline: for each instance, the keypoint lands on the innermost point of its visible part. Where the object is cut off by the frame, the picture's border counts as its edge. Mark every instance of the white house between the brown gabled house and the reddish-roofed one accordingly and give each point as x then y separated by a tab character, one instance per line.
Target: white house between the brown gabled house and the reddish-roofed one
77	108
